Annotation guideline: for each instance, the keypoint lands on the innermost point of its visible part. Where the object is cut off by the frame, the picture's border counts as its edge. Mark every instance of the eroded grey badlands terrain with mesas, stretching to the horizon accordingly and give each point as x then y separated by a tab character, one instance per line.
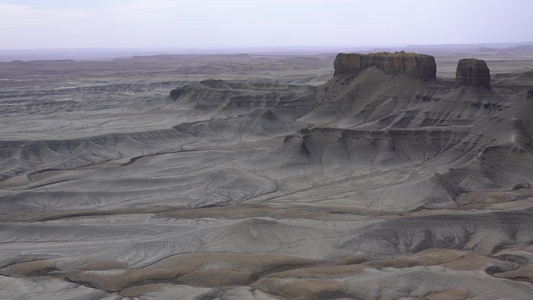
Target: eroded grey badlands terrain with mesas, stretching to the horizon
351	176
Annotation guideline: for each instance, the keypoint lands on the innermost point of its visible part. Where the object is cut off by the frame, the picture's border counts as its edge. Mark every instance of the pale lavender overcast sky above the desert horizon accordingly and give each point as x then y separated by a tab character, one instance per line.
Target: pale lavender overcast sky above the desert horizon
30	24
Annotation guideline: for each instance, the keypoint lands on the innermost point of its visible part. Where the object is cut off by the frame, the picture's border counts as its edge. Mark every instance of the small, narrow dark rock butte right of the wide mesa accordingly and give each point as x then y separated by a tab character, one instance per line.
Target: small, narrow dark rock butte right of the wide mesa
472	72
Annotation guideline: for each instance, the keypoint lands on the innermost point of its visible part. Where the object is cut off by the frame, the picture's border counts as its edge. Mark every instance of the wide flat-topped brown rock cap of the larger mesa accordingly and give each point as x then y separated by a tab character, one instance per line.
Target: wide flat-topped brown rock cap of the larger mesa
418	66
